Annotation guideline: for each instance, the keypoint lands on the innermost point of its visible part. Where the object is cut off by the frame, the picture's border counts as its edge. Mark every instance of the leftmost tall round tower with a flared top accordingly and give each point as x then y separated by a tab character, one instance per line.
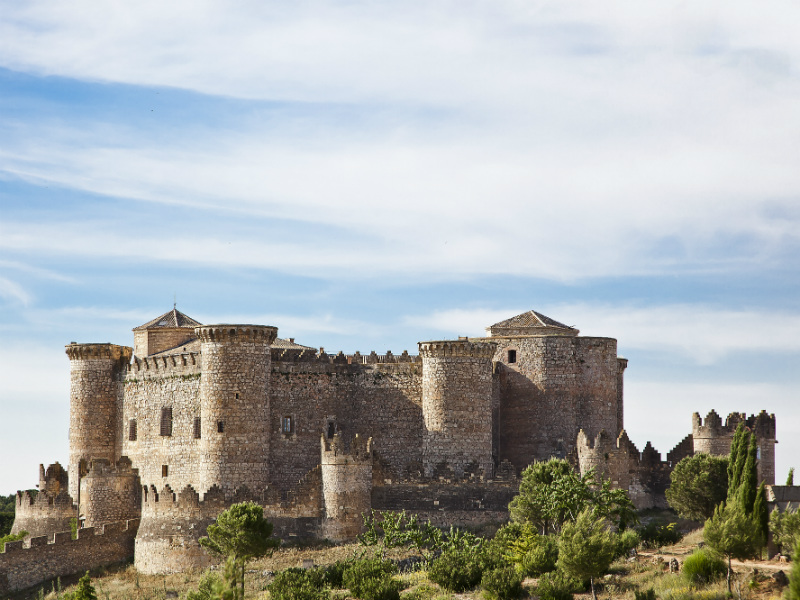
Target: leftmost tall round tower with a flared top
96	372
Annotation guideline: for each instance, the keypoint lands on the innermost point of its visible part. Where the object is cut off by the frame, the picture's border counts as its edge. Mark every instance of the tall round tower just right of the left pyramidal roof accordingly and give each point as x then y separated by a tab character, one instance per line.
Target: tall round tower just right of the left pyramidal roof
234	406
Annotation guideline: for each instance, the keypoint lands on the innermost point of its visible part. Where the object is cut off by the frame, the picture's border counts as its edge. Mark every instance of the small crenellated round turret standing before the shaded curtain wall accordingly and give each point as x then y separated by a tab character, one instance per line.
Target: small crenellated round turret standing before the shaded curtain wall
346	487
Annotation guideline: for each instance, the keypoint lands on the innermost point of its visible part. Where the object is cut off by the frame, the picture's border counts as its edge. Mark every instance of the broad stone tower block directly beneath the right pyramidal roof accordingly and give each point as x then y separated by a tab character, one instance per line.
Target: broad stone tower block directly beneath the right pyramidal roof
557	386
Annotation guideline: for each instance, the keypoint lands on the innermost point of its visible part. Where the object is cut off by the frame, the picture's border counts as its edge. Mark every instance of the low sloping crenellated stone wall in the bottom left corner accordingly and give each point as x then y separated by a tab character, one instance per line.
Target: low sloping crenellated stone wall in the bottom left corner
24	564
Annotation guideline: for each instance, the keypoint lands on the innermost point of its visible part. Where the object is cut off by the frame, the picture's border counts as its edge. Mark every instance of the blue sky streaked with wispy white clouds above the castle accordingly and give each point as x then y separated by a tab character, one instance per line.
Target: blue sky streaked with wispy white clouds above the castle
367	175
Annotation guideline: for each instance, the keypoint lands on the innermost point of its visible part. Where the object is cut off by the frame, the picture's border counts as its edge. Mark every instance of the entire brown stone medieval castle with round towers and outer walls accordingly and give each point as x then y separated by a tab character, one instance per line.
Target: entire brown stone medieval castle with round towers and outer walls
165	435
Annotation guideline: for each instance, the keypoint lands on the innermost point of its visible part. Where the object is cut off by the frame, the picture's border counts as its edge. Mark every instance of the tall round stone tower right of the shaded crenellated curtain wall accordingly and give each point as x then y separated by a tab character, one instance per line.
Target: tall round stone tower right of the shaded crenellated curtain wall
457	406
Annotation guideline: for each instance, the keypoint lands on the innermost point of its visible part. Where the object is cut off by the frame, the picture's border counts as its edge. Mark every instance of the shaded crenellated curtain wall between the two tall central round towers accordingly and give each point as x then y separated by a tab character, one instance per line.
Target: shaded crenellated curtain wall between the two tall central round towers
384	399
